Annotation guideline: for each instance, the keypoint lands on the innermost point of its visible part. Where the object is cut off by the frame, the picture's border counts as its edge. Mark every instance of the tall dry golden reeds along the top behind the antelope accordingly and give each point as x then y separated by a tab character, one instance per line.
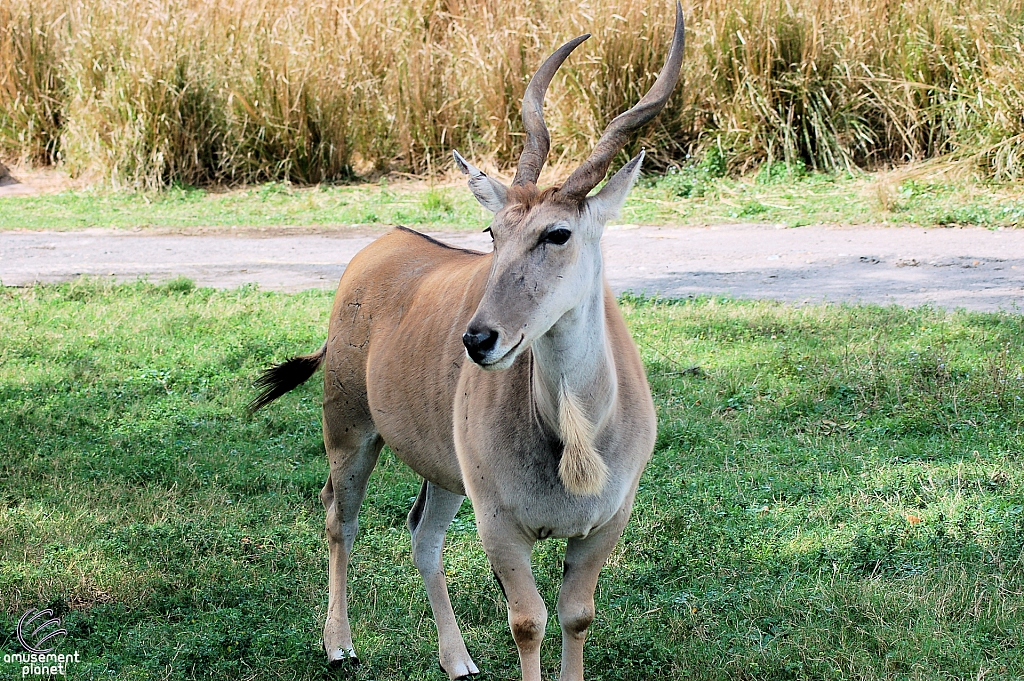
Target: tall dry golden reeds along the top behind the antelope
153	93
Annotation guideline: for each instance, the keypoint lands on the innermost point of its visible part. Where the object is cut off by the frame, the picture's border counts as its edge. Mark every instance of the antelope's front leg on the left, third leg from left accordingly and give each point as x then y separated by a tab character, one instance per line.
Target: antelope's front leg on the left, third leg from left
509	550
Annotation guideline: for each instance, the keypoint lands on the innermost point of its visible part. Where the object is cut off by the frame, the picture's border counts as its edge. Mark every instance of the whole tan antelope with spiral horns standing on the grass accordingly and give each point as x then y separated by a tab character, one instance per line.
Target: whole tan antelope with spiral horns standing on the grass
509	377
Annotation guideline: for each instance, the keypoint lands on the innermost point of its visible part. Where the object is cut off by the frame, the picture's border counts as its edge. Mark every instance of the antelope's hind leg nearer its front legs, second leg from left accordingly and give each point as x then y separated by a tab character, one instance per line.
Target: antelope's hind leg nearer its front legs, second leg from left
431	518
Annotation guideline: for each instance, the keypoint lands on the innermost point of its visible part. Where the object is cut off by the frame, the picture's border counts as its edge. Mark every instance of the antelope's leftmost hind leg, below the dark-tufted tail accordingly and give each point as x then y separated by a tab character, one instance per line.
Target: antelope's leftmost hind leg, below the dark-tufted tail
353	457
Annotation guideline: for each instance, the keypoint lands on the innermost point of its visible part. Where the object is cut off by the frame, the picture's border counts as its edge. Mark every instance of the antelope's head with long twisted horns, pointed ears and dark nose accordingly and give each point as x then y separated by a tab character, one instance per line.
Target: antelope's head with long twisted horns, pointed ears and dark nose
547	254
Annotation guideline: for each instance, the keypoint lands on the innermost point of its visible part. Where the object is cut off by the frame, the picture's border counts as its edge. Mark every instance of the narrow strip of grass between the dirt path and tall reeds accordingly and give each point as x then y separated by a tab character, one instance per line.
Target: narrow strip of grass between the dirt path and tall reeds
696	195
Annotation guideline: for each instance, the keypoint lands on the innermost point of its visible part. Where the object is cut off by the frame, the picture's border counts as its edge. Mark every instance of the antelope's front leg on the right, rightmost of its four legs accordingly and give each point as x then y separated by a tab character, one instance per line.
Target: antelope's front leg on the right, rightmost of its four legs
584	561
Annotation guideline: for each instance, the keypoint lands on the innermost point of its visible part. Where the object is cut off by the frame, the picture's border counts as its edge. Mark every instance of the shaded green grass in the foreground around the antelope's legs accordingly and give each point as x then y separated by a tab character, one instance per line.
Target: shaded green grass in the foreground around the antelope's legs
776	534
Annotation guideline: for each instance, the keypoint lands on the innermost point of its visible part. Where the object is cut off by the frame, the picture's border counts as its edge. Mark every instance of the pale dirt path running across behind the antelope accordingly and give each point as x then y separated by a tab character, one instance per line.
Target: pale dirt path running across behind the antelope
958	268
